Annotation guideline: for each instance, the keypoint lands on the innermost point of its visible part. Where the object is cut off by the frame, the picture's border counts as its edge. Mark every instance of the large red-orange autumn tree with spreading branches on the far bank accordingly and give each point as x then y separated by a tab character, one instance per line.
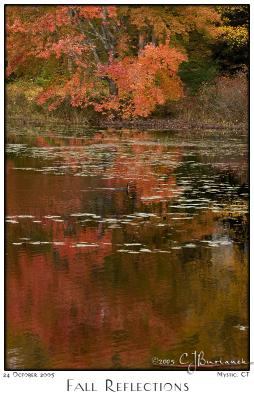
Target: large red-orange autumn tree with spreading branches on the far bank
121	60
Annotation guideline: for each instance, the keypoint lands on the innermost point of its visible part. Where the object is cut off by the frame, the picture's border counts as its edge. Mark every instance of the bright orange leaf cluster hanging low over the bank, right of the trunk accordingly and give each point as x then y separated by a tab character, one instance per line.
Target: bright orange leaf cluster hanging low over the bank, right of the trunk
138	80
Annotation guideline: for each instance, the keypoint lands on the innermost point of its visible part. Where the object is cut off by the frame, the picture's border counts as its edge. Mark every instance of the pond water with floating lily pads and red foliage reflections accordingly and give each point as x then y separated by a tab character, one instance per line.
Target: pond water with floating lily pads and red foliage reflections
124	248
